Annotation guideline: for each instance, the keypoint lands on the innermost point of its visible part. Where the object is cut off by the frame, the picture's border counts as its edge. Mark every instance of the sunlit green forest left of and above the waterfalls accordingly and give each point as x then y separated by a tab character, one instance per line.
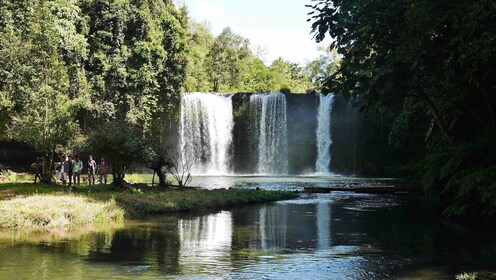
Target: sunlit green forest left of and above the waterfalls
71	71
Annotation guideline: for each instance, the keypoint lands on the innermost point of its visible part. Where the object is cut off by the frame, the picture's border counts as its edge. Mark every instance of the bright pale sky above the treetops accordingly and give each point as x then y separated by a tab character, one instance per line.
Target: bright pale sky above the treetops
280	27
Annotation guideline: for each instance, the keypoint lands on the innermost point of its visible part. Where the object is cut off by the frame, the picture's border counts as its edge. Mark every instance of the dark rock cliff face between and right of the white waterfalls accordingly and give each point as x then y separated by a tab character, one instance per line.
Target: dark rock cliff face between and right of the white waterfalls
359	142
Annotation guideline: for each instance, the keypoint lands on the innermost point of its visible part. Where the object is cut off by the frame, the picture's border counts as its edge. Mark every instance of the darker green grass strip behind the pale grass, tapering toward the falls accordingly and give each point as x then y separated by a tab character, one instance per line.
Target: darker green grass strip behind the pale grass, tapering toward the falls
148	200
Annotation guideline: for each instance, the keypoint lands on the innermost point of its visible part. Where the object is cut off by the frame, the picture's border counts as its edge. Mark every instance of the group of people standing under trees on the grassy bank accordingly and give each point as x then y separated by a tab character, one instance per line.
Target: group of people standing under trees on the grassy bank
72	166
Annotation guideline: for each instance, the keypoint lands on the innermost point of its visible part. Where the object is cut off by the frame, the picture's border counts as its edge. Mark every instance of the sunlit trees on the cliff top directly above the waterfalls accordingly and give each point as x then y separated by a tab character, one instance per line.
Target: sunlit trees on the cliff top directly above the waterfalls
227	64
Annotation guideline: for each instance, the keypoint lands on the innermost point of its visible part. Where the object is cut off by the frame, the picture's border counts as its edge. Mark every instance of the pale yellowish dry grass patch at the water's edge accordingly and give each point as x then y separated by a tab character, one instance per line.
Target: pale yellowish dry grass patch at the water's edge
51	211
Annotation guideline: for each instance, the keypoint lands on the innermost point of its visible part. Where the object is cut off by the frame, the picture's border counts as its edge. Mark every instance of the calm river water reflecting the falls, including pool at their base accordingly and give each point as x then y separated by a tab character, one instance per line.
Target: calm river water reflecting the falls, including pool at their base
321	236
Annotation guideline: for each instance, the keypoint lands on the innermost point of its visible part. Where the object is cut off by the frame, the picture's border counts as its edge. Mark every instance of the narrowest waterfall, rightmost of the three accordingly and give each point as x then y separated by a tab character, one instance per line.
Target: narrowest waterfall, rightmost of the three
324	137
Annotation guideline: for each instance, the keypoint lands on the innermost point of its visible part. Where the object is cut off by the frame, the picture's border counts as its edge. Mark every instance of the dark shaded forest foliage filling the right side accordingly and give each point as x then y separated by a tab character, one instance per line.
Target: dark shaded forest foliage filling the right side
430	67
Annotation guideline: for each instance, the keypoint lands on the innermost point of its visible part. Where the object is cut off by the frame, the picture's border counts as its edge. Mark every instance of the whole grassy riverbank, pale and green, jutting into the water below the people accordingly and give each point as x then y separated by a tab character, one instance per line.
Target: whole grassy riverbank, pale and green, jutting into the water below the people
132	202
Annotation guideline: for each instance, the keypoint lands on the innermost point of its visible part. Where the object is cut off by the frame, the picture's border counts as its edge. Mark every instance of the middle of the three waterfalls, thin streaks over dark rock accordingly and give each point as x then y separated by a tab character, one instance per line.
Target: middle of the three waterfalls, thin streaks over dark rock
269	129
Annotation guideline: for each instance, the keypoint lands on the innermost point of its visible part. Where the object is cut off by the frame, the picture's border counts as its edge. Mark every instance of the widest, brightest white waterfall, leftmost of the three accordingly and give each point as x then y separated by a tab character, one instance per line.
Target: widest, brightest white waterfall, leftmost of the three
206	132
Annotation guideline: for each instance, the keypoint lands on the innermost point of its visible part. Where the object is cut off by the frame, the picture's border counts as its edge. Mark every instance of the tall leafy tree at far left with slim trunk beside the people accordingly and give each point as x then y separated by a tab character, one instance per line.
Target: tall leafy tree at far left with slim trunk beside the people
42	98
